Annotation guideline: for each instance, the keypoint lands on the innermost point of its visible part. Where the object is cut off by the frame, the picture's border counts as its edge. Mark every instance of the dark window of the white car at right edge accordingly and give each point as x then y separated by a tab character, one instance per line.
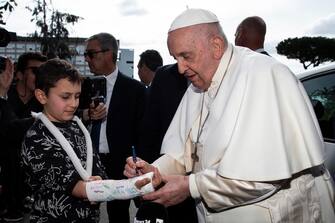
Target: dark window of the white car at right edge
321	90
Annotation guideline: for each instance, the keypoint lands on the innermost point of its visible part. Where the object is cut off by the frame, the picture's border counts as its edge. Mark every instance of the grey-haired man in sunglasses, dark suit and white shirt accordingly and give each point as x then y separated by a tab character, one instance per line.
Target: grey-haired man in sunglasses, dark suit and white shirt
116	133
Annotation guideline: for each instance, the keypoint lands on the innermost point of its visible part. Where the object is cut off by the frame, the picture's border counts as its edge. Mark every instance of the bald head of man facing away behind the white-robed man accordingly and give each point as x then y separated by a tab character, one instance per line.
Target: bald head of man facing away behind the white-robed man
250	33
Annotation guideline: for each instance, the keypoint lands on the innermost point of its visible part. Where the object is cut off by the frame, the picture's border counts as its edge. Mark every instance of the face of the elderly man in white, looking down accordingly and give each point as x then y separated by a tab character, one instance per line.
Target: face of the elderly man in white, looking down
192	51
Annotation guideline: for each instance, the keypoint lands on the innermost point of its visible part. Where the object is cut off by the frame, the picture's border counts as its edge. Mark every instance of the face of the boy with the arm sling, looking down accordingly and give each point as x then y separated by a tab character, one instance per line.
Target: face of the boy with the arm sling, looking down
62	101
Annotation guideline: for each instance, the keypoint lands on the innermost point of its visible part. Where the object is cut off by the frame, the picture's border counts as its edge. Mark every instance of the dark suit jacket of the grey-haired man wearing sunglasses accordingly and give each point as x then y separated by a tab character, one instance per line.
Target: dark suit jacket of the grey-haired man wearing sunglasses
124	115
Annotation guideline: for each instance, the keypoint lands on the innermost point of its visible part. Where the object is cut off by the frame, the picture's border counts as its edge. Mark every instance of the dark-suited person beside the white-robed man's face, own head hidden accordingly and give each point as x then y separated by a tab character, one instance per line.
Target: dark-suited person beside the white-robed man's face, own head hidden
165	94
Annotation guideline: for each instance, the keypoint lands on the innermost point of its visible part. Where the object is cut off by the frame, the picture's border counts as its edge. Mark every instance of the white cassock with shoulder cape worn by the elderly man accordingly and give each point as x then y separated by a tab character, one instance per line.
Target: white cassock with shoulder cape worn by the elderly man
260	150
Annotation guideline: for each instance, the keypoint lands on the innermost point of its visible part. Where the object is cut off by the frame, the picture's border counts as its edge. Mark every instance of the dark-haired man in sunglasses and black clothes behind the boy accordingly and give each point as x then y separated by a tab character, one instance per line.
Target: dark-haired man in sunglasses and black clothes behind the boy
22	102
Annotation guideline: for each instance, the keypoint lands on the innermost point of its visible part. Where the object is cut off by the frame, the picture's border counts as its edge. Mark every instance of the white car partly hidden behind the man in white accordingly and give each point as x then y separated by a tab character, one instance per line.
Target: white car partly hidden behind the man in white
320	86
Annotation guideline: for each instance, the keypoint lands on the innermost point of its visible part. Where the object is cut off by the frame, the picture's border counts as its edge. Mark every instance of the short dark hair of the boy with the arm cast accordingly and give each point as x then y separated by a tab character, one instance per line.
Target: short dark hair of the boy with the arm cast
54	70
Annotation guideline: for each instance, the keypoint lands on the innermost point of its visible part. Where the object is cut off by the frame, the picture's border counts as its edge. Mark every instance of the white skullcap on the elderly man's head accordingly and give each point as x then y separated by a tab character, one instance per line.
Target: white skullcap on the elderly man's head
192	17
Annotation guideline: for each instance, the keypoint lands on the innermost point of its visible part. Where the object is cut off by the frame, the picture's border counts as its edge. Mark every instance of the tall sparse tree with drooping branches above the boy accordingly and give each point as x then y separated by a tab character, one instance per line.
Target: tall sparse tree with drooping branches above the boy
52	31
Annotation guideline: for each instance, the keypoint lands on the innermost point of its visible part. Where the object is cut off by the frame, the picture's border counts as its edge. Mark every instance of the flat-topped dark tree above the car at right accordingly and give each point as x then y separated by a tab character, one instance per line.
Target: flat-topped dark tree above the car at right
308	50
